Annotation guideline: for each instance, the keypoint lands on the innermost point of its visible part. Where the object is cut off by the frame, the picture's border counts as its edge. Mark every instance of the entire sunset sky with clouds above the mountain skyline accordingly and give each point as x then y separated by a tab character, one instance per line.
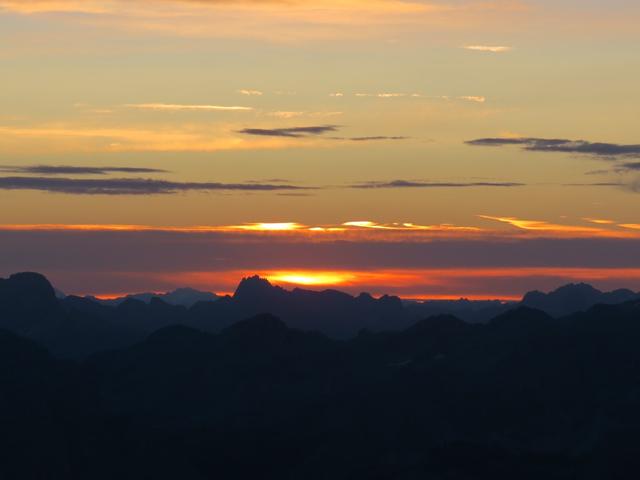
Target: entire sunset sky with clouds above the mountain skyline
429	149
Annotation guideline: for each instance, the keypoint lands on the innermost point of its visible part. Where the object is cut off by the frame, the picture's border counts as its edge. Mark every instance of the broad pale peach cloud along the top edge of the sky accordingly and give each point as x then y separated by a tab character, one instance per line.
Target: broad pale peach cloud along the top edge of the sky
272	20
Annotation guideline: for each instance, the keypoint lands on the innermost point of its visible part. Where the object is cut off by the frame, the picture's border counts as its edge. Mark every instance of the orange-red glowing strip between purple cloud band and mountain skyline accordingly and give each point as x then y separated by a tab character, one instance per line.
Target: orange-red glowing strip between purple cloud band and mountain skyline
419	284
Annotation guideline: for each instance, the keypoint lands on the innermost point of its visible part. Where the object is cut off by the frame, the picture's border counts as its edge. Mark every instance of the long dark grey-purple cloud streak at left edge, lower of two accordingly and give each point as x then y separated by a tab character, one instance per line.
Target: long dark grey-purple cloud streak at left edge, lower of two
131	186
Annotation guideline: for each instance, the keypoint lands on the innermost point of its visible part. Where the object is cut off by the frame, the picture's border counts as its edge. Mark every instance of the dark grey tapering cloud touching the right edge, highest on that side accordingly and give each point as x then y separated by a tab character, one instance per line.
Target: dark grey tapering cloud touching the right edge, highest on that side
603	150
